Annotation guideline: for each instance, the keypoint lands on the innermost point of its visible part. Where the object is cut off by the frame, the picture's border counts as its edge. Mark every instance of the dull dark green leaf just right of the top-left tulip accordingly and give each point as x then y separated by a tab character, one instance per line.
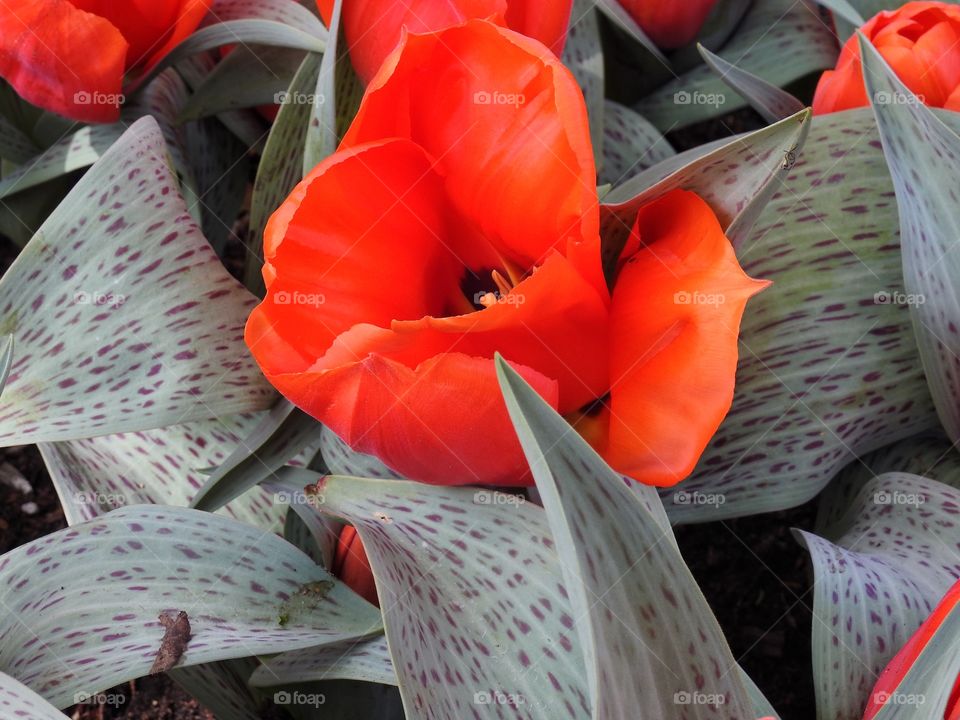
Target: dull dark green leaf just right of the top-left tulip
245	78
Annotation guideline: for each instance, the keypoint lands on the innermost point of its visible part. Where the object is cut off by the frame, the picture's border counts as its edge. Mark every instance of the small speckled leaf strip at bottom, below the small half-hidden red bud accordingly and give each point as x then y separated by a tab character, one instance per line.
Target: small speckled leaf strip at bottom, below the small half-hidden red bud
367	660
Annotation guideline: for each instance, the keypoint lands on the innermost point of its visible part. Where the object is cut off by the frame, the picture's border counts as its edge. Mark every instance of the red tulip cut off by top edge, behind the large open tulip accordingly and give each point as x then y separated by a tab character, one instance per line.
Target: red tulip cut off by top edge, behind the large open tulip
373	27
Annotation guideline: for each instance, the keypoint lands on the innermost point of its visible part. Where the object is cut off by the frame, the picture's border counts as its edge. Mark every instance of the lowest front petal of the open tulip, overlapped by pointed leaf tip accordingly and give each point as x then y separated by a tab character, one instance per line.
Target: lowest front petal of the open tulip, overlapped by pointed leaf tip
443	422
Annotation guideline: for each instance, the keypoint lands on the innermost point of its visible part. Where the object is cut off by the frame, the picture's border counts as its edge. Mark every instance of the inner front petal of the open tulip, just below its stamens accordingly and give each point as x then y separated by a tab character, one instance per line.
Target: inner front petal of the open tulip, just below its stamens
554	321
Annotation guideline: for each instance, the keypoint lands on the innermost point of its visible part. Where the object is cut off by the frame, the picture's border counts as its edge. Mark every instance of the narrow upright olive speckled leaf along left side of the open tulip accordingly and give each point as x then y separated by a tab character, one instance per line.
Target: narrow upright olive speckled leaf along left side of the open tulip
281	166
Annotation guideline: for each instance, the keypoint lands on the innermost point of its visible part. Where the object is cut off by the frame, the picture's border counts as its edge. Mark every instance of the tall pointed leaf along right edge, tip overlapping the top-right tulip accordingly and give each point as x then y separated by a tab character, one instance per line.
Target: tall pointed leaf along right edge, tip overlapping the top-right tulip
924	159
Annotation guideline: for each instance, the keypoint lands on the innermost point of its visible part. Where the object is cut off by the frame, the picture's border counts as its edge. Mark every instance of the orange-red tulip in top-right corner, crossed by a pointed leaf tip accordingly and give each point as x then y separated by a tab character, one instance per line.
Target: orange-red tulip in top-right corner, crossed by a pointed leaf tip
920	41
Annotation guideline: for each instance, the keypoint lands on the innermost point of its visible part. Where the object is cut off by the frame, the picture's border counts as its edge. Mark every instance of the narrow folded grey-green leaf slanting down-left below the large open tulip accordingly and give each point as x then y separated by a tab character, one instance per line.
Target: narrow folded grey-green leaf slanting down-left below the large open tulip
280	436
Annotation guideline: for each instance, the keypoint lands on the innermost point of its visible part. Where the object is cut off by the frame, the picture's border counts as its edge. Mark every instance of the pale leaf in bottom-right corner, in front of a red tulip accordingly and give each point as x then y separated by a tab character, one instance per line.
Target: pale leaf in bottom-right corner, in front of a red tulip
931	679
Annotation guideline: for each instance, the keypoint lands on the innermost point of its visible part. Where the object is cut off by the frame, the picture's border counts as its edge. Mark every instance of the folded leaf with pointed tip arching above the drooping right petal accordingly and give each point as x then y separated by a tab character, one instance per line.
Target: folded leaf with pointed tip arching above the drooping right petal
737	180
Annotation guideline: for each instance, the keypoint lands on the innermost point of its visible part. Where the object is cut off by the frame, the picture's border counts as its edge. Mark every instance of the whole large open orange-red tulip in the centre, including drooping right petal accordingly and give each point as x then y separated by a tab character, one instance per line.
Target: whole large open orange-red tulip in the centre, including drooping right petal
460	219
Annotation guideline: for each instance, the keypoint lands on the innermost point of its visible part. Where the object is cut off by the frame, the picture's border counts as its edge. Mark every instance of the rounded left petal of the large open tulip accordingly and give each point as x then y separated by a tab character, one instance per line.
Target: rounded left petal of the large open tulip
358	240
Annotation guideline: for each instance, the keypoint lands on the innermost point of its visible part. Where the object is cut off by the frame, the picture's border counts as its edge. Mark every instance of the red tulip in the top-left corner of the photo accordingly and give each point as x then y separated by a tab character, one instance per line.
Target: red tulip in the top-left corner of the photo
70	56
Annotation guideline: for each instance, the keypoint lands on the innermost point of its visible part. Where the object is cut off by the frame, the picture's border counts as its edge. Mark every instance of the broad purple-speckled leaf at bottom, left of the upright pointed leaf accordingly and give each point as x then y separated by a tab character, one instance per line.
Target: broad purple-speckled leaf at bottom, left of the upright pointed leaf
476	613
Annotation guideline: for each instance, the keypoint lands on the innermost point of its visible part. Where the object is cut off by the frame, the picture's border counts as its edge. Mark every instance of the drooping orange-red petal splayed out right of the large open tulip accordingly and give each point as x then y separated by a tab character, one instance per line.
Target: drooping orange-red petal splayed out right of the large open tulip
675	318
